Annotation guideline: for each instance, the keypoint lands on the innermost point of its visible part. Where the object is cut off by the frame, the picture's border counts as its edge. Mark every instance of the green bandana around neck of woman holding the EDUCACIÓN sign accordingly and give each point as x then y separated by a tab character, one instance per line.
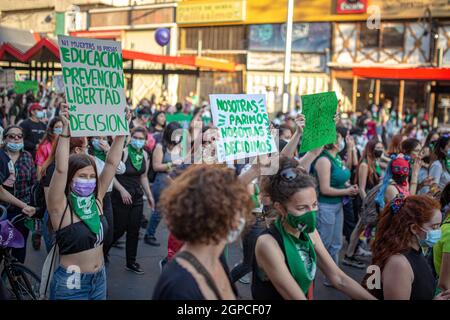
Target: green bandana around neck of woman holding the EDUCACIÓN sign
86	209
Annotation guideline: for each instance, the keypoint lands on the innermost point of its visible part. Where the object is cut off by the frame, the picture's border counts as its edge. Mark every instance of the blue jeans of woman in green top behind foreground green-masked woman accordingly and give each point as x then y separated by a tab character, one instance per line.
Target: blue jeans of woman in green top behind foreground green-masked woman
330	224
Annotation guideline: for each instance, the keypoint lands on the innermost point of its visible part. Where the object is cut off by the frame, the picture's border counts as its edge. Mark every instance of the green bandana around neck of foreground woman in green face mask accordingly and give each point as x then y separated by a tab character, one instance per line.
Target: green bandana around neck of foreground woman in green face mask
301	257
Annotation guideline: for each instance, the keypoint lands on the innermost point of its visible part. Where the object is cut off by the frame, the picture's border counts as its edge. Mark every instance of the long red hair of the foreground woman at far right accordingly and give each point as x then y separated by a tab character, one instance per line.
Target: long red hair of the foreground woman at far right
393	235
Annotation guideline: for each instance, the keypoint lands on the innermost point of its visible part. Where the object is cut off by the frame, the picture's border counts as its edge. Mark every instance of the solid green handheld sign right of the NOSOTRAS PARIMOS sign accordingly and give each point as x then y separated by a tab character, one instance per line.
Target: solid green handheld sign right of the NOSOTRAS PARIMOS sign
319	110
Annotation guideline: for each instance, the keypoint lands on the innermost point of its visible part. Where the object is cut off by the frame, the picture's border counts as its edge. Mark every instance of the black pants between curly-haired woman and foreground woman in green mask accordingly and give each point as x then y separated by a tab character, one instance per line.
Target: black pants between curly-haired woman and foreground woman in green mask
248	243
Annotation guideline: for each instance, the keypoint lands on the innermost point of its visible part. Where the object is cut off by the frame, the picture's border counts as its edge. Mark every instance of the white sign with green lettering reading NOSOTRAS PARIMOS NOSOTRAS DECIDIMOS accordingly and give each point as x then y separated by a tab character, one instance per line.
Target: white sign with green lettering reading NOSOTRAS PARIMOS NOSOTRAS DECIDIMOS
244	126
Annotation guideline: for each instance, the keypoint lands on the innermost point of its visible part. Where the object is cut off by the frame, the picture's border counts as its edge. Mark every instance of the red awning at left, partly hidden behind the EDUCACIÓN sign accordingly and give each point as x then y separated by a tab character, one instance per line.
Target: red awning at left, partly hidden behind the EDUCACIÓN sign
46	50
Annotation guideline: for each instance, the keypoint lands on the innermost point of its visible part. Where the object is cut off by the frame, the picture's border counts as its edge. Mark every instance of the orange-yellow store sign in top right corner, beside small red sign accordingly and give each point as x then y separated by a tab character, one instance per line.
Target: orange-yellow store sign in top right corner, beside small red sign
401	9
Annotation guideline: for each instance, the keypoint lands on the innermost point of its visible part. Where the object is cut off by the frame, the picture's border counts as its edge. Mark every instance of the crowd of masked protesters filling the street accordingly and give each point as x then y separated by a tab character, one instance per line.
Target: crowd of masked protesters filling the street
378	195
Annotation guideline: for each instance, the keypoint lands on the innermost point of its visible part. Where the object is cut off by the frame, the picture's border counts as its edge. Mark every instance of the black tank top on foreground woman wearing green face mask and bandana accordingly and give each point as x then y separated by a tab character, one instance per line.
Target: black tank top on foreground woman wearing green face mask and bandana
262	287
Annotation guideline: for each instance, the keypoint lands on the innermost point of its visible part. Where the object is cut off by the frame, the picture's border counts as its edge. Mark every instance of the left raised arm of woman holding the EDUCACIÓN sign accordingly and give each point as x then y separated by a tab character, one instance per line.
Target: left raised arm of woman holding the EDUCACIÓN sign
56	193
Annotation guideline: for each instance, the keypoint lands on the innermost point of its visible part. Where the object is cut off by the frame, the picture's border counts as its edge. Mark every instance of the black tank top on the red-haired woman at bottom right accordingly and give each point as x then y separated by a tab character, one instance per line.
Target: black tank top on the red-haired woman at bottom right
424	284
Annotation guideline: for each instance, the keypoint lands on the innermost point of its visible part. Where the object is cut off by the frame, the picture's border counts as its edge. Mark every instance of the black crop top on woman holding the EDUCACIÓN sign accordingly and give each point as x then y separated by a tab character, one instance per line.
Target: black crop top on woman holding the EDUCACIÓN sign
77	237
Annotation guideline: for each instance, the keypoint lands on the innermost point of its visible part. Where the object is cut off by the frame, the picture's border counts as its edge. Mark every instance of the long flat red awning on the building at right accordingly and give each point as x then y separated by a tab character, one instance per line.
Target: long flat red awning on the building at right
437	74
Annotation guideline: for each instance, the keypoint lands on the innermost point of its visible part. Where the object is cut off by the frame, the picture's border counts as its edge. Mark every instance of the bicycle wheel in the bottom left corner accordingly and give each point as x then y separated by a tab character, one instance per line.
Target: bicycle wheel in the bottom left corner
25	284
